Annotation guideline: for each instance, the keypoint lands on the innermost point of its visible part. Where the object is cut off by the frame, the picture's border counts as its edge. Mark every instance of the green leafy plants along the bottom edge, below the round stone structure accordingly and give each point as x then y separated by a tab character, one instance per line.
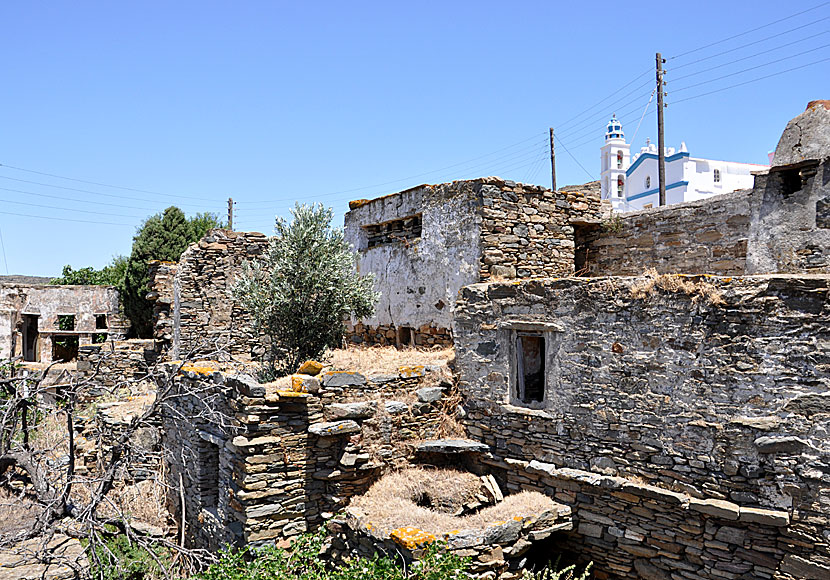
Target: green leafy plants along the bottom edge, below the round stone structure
303	562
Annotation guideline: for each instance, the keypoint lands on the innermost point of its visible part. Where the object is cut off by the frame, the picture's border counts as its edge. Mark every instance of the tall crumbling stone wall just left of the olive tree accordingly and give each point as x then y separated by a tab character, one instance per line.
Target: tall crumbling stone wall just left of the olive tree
205	316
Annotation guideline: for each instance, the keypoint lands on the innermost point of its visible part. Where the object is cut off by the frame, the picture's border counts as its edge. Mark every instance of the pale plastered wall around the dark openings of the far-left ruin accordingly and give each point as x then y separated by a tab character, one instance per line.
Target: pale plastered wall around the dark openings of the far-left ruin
48	301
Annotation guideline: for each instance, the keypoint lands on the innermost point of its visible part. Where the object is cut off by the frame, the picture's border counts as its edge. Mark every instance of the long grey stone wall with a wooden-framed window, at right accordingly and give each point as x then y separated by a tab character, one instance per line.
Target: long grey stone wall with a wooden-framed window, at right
713	387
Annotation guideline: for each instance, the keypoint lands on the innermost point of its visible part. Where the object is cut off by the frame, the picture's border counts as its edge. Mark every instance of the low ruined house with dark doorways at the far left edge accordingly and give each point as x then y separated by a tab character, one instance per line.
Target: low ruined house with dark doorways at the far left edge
45	323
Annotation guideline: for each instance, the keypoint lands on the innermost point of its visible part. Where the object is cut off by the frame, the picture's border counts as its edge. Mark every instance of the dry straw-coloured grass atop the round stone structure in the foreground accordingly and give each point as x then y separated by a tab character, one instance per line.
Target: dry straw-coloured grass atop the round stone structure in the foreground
392	502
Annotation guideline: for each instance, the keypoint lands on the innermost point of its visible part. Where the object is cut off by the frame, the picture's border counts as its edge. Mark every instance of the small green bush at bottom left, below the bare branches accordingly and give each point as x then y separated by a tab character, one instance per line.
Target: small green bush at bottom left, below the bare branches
120	559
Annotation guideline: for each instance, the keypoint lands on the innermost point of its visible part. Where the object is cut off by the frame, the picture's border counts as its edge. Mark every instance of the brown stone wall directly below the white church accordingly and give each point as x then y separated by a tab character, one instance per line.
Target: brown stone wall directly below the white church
707	236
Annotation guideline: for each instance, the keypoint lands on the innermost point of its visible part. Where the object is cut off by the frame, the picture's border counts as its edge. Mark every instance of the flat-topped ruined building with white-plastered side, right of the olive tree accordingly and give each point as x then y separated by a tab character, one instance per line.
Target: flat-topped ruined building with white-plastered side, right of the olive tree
424	244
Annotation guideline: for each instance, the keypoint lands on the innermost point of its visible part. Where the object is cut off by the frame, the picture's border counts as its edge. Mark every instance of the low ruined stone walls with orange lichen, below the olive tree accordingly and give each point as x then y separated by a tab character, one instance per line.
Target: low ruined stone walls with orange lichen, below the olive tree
287	460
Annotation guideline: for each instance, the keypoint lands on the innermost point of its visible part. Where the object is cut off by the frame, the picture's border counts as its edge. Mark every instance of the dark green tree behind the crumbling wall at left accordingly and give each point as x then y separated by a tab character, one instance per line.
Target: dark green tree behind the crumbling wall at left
163	236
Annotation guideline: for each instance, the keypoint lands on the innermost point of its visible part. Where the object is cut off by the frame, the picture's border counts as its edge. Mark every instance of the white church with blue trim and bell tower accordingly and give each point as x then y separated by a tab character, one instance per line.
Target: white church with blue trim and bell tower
631	183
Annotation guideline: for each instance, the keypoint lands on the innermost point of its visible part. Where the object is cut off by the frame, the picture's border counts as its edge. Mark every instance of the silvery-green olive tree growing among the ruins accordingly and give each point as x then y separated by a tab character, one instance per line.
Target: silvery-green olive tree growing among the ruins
303	288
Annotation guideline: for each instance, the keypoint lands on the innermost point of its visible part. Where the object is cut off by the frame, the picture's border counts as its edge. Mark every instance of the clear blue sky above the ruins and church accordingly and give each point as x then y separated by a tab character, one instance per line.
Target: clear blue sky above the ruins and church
271	102
